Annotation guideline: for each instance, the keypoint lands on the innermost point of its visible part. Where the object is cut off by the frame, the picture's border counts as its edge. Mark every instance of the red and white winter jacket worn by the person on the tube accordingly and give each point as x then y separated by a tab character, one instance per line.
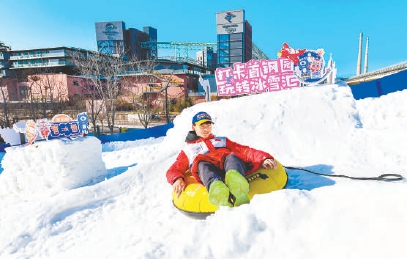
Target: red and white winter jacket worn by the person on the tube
214	150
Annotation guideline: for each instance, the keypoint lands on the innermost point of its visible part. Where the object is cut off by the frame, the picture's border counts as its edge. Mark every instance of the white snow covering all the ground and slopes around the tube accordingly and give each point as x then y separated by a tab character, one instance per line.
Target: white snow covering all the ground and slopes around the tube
80	199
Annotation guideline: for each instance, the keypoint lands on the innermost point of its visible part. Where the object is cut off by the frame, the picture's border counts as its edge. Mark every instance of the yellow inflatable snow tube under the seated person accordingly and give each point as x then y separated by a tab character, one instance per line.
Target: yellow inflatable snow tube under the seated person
194	202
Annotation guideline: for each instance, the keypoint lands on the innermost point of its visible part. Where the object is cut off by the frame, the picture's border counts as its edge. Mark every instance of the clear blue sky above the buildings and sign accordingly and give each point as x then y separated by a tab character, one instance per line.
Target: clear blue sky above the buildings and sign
332	25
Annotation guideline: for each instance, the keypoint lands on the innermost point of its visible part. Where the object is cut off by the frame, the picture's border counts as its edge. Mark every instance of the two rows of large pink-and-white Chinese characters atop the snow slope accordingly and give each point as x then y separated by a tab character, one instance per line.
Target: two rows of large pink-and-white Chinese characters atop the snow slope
256	76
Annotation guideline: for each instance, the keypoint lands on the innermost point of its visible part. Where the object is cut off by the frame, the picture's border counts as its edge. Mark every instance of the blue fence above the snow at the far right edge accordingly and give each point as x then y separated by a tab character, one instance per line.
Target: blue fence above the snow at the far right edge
376	88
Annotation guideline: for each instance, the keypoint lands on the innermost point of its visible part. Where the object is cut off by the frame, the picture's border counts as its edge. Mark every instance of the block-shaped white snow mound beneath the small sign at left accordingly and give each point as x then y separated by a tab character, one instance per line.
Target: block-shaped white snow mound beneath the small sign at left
51	166
